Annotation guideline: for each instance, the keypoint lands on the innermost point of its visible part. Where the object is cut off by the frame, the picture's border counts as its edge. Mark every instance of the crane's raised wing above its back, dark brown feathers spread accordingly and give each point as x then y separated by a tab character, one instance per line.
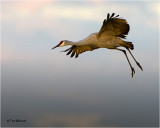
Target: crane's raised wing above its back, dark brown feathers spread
114	26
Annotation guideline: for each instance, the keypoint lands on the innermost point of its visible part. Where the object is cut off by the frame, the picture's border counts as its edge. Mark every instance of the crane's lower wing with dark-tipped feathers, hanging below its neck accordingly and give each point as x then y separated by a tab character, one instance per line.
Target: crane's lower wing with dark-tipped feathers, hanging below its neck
76	50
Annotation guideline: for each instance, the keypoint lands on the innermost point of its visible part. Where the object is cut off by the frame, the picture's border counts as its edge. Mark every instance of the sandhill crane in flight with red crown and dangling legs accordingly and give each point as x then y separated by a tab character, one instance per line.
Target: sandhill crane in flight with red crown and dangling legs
110	36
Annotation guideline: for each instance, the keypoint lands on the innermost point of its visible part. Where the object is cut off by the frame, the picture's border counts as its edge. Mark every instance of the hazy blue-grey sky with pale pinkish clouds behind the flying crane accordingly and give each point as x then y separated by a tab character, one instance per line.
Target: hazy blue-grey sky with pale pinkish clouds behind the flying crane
48	88
